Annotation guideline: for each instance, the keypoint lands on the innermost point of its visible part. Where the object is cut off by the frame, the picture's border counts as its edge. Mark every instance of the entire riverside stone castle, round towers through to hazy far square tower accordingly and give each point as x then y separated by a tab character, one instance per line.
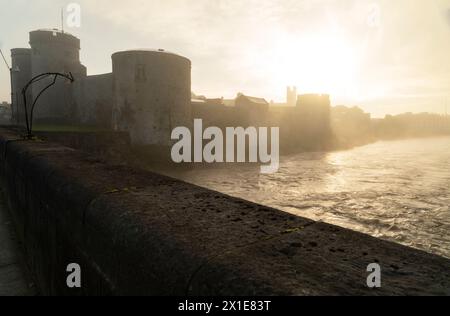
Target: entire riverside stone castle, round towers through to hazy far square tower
148	94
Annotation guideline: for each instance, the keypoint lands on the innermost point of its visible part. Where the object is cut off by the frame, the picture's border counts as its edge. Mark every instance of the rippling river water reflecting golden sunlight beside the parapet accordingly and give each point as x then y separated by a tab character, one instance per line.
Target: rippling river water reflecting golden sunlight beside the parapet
395	190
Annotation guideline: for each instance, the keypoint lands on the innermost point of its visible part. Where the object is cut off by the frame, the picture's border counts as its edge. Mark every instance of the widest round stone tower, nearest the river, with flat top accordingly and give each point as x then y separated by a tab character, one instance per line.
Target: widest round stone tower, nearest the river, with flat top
152	94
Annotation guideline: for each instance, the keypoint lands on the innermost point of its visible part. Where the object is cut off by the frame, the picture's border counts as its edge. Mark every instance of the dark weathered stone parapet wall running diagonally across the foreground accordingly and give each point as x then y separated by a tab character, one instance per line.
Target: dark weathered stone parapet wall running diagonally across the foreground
140	233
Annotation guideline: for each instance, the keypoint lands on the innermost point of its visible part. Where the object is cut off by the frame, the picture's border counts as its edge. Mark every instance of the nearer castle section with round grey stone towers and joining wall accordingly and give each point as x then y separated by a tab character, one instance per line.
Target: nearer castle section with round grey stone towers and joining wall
146	95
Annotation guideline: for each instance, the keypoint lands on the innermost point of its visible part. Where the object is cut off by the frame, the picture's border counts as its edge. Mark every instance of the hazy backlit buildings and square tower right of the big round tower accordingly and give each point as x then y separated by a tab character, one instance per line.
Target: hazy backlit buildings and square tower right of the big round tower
304	126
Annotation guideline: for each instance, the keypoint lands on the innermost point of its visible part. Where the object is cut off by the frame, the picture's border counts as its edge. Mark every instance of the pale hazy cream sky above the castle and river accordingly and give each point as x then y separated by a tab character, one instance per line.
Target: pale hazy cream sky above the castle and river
387	57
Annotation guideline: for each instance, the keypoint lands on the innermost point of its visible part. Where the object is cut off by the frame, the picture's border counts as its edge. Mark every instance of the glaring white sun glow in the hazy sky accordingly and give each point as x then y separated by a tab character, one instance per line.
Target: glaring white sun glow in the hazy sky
317	63
